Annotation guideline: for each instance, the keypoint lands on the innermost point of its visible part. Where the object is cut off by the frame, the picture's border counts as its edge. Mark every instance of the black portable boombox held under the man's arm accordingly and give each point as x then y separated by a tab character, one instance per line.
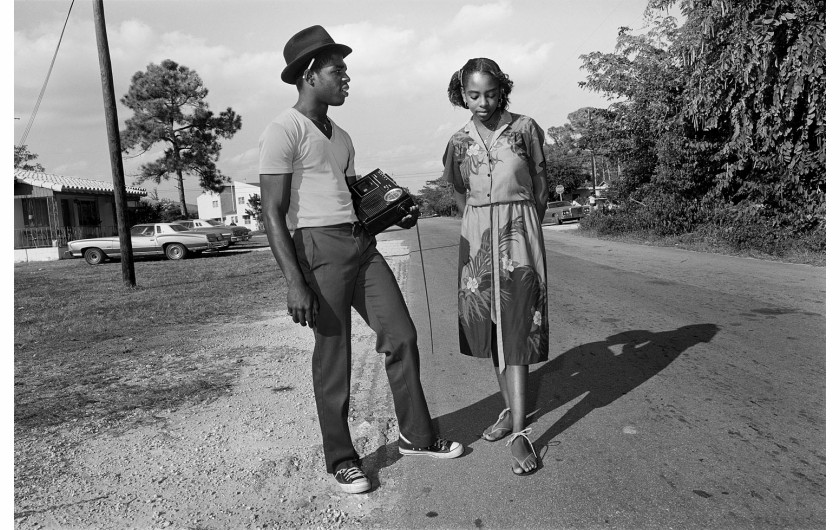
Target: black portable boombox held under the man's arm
379	202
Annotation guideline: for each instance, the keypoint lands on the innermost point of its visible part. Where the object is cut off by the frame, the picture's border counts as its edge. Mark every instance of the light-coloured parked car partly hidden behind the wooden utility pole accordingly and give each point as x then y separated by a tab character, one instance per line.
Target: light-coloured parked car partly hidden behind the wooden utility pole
172	240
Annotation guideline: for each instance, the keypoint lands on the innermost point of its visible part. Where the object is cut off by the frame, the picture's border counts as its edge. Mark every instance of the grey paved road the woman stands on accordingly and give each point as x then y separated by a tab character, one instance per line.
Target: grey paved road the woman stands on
683	390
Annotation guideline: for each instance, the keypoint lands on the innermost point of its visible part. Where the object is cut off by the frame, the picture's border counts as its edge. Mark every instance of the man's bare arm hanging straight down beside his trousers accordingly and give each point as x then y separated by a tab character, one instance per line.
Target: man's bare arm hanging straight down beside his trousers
275	191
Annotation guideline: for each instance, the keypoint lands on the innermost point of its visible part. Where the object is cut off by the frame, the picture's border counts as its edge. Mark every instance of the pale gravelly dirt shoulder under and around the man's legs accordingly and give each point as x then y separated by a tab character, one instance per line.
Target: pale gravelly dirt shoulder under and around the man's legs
250	459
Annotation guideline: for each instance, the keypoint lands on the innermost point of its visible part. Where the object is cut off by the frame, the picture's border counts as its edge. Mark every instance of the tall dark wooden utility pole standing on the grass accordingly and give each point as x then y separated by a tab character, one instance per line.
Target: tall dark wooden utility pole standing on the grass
126	255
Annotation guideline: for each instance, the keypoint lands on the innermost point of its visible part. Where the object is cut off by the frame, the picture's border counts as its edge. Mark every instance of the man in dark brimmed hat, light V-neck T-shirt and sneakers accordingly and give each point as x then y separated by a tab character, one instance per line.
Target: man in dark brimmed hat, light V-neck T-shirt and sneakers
331	263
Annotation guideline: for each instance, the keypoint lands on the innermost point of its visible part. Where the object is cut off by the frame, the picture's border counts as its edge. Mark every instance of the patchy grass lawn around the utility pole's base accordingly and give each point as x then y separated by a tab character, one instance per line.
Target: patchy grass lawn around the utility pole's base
89	348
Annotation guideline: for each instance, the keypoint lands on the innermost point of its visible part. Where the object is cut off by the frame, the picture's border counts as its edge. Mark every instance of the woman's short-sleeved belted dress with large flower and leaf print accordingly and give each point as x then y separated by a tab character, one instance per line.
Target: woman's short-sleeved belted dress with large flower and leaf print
502	257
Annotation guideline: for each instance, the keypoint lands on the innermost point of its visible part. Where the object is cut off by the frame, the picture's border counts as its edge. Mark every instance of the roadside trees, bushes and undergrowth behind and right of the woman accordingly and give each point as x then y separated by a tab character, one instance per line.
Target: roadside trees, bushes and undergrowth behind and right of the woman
715	139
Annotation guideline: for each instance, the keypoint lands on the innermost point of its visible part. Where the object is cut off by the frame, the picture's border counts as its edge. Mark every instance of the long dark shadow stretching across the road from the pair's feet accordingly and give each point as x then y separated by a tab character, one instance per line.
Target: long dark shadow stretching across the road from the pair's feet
592	370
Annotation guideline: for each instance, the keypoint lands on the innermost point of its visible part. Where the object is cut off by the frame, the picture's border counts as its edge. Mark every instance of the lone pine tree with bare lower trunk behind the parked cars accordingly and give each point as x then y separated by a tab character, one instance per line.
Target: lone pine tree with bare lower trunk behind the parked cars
169	108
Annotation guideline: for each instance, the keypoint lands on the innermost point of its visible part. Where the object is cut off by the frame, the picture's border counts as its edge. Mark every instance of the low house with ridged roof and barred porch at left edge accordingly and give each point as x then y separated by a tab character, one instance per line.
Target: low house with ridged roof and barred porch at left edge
53	209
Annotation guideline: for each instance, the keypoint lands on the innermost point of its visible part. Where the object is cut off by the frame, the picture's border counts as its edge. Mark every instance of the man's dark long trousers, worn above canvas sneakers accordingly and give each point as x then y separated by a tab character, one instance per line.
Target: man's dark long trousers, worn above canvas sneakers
341	264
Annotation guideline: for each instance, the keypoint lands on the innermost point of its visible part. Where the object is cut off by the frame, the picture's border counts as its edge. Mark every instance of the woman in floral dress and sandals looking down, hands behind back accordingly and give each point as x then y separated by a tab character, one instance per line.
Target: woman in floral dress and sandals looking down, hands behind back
497	167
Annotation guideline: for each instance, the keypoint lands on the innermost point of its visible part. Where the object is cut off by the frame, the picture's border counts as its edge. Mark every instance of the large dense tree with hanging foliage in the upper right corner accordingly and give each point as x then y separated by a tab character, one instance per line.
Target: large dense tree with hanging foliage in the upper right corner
726	112
